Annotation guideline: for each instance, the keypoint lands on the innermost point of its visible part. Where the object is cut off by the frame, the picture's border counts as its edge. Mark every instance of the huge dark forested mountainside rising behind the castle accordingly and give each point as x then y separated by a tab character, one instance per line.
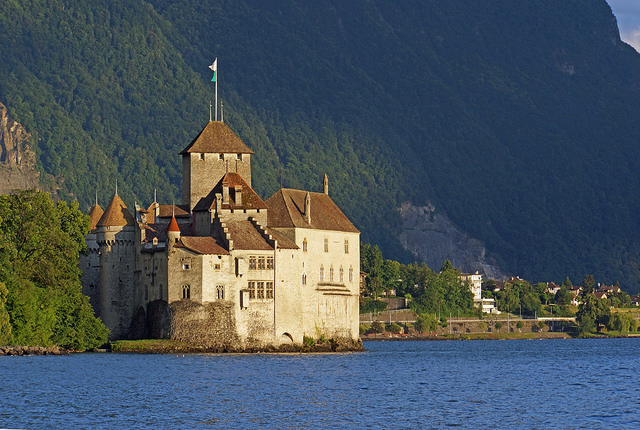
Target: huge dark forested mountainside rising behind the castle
516	119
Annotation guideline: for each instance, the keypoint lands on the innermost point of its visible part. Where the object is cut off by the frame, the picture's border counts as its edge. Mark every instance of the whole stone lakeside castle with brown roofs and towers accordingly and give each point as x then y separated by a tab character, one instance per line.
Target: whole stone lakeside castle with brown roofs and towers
225	268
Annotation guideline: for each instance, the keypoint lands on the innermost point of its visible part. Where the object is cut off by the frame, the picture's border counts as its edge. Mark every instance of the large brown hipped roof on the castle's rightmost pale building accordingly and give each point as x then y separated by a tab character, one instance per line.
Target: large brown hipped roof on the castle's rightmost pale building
286	209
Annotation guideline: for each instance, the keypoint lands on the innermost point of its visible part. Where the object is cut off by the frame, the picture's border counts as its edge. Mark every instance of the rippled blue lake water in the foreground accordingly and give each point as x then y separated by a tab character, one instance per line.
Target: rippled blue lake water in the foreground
469	384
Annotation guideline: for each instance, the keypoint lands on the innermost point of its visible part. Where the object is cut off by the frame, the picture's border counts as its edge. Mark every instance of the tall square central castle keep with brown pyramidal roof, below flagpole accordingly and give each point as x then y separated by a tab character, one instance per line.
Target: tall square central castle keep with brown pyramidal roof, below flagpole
213	153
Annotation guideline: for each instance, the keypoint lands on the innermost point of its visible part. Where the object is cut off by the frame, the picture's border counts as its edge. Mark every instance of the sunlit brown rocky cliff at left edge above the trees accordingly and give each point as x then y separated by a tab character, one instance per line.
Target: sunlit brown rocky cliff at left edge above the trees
17	157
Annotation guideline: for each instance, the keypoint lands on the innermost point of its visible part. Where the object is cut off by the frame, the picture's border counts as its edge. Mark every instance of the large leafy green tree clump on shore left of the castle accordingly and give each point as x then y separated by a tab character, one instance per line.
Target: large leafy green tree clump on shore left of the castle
41	301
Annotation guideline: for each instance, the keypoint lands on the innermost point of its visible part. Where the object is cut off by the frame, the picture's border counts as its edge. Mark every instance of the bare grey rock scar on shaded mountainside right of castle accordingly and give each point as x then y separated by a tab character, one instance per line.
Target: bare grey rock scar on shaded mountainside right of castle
432	237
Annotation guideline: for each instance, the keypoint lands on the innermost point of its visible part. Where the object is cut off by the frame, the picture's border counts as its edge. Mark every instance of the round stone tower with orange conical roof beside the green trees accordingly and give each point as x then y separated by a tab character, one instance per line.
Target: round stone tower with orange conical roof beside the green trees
115	236
